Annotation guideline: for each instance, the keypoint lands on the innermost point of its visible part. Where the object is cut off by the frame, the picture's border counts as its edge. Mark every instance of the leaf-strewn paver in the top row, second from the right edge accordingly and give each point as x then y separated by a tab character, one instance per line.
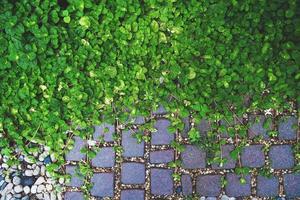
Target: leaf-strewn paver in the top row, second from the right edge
257	128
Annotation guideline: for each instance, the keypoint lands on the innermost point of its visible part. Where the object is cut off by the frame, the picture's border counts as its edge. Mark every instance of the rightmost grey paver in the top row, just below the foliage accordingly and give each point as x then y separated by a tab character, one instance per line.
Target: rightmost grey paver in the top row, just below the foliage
286	128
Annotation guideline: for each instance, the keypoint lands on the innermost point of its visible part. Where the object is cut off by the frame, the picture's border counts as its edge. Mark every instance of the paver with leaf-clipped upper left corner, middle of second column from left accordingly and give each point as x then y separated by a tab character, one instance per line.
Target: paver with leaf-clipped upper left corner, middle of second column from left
104	158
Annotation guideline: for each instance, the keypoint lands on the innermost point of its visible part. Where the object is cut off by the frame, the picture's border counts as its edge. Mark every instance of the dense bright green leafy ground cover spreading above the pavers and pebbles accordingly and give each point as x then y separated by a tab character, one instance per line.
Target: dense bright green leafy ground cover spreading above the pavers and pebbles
66	64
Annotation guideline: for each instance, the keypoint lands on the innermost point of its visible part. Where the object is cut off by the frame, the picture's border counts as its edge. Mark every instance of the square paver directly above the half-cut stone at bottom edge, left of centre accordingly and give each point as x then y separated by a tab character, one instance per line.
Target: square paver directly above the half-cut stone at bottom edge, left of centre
133	173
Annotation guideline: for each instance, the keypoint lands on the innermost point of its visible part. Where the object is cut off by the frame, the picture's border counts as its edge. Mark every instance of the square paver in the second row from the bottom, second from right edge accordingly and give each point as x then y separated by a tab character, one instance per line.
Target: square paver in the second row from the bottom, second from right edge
253	156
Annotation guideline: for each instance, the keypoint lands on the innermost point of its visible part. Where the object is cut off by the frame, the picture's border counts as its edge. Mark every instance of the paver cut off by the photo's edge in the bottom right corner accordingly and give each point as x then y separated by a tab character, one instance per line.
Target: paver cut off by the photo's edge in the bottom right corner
292	185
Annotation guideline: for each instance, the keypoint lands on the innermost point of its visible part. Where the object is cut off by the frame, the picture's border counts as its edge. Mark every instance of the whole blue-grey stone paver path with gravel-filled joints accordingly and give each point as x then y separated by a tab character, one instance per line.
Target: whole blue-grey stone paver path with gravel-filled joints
141	171
